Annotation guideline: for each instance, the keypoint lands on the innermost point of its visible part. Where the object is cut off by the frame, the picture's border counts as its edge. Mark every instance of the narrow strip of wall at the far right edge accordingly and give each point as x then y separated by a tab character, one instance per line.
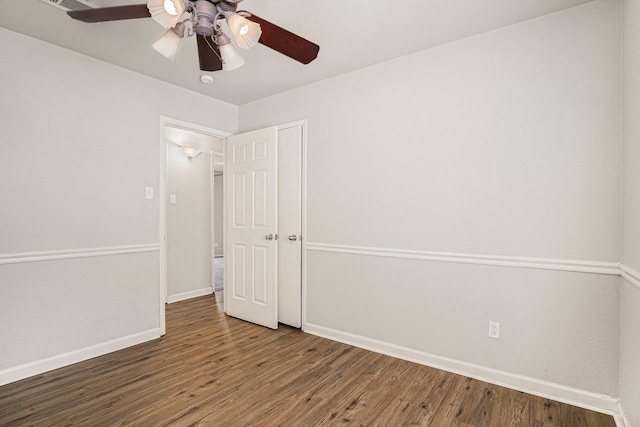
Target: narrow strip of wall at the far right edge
630	293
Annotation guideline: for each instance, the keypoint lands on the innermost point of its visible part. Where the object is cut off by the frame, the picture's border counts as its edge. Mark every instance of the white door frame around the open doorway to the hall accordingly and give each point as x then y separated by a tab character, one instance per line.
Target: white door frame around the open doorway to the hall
162	199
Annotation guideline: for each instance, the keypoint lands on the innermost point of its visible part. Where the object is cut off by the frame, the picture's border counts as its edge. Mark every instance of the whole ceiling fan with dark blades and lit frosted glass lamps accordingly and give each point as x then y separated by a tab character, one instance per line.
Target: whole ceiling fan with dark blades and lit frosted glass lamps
215	50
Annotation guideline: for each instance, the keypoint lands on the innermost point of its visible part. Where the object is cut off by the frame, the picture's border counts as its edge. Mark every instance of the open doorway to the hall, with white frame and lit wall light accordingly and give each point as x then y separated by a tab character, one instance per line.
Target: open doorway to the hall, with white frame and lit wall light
187	209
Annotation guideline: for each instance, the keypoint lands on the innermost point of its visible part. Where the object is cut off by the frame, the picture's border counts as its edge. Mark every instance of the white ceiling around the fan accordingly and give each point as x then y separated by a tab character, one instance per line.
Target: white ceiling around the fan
352	34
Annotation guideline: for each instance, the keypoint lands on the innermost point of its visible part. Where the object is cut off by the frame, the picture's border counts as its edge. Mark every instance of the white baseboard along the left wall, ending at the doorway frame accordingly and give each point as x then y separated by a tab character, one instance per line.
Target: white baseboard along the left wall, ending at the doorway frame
37	367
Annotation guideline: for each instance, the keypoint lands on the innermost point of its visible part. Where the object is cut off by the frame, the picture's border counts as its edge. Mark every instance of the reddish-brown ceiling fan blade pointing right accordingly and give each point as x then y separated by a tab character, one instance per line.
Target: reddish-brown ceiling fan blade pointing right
283	41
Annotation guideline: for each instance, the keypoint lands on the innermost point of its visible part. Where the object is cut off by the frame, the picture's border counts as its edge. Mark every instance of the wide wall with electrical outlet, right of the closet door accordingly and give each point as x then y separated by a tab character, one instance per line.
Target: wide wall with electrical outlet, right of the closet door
501	145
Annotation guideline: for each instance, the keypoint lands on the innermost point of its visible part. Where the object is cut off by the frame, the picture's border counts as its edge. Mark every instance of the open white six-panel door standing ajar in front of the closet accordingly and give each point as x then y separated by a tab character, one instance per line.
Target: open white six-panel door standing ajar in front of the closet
250	261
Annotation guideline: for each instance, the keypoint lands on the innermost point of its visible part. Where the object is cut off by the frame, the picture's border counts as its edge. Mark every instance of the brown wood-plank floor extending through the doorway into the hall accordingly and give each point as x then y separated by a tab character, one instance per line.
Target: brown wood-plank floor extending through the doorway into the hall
213	370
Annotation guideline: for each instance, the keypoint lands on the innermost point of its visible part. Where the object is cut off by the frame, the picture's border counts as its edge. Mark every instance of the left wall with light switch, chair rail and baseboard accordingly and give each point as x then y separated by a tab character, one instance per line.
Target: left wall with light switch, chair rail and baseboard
79	242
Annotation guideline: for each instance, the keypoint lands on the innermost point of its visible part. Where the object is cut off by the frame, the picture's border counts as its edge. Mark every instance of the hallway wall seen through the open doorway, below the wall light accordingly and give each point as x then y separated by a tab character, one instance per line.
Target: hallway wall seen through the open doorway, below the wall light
189	221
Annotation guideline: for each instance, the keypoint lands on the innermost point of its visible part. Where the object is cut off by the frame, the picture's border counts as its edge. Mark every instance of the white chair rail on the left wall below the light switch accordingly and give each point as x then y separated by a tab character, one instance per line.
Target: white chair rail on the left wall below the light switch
17	258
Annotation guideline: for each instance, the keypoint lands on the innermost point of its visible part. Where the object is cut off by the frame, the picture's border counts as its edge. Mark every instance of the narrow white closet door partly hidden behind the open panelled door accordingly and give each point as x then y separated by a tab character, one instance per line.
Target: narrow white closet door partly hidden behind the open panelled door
290	226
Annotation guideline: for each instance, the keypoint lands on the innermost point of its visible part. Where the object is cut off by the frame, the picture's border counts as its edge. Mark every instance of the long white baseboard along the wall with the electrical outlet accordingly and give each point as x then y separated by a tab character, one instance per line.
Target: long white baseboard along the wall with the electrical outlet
584	399
